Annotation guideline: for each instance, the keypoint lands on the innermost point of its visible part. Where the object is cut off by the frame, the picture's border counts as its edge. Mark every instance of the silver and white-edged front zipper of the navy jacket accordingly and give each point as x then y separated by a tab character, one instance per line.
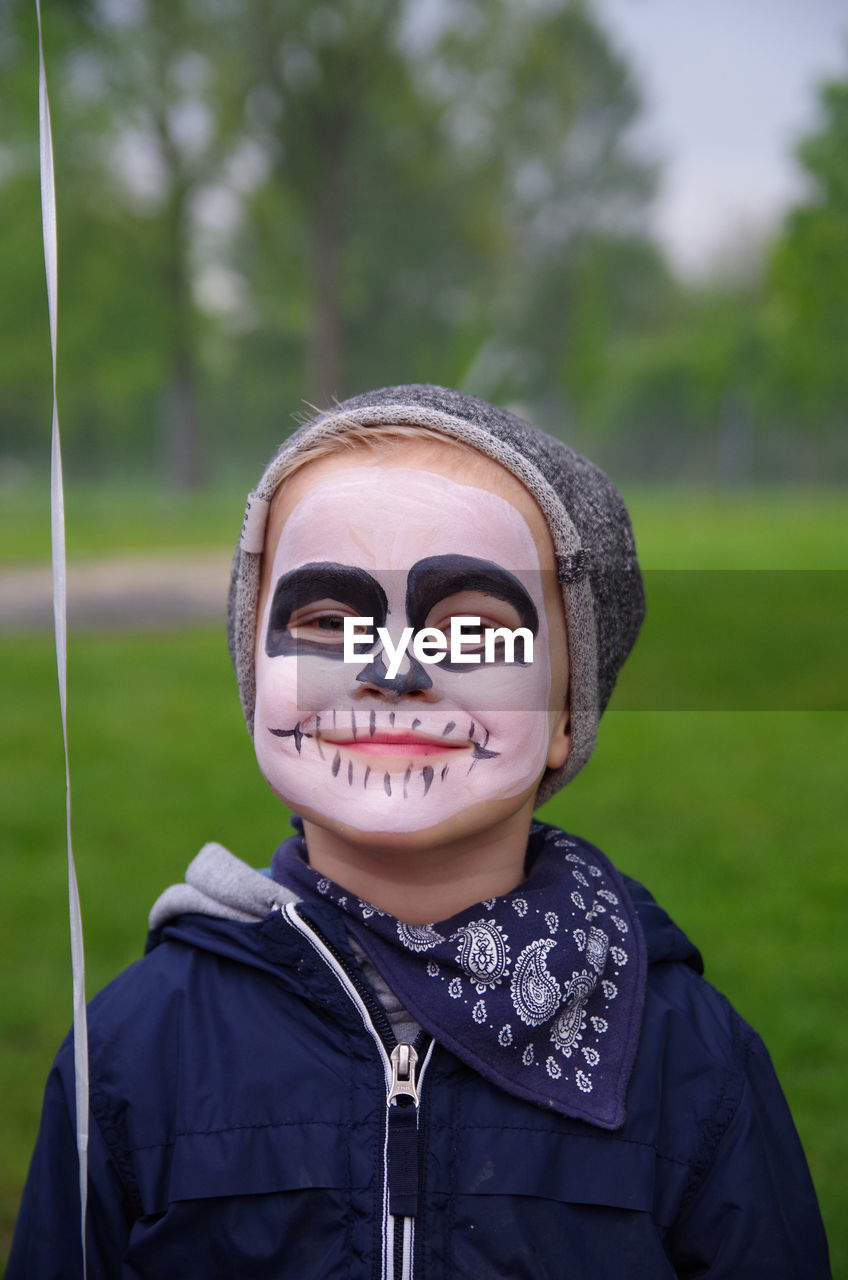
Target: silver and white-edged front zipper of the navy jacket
403	1100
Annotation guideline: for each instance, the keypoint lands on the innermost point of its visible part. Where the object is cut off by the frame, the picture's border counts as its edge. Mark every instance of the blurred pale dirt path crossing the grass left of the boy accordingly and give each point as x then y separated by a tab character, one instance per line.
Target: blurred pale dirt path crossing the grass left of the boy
129	592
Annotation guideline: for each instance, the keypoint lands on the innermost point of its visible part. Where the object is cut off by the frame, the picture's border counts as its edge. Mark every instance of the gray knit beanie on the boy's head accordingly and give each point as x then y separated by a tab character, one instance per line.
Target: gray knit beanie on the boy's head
596	557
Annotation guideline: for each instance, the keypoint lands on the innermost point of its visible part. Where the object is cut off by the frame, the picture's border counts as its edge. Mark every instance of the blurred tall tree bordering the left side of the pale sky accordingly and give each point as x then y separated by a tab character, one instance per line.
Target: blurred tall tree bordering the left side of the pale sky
541	107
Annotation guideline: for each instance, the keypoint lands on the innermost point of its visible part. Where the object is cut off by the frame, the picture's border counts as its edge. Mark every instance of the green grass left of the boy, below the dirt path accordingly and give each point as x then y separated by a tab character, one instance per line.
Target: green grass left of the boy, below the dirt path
161	764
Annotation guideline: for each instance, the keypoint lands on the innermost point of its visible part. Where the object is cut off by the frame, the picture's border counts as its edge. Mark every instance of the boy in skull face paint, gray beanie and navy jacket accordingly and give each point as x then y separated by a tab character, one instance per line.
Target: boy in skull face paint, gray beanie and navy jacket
440	1039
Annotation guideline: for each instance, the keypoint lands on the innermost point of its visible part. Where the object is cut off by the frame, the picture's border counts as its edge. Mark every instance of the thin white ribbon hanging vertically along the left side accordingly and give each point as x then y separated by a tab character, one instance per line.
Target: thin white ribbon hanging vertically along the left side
61	627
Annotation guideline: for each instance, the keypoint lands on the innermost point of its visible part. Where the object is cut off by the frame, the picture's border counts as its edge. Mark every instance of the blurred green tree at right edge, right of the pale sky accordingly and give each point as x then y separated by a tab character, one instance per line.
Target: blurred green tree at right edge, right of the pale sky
753	360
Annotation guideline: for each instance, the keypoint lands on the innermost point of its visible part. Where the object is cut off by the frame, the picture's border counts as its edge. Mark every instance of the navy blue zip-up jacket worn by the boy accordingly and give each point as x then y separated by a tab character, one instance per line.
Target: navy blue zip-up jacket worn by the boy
240	1130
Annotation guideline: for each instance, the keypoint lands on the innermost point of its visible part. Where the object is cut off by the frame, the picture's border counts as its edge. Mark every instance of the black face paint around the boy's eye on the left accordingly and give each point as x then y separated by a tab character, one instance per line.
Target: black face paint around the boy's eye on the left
311	605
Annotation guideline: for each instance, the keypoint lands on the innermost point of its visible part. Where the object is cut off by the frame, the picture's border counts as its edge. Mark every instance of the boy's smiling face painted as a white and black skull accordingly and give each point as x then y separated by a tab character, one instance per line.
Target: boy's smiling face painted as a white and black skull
431	752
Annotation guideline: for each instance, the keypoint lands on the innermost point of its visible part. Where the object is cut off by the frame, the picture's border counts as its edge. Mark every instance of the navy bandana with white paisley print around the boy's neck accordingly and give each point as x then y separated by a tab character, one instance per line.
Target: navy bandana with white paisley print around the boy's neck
540	990
